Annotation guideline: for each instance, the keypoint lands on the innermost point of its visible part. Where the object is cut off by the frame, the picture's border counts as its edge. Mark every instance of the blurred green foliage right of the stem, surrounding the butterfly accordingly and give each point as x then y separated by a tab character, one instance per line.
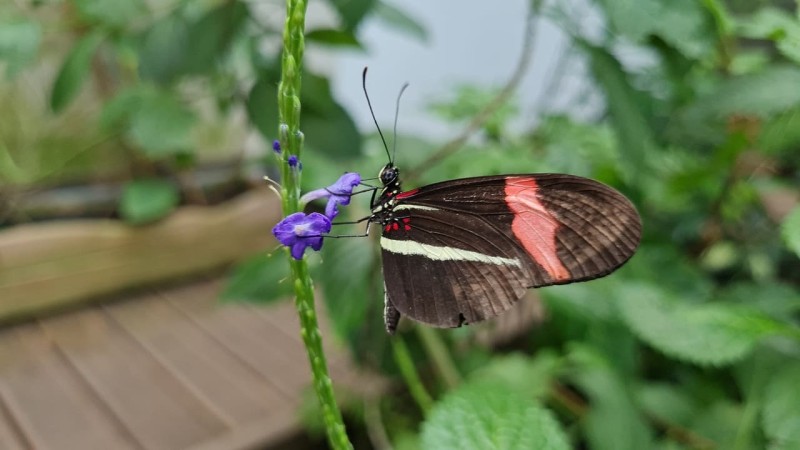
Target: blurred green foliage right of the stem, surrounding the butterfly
695	343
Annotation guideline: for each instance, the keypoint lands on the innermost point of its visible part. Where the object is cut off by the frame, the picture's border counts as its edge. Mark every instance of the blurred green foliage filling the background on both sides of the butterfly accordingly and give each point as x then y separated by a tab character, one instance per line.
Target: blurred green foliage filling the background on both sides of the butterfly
694	344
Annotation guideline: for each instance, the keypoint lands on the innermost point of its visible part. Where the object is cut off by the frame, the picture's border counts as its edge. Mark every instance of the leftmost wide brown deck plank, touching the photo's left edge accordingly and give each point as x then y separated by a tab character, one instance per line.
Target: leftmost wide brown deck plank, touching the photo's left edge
51	404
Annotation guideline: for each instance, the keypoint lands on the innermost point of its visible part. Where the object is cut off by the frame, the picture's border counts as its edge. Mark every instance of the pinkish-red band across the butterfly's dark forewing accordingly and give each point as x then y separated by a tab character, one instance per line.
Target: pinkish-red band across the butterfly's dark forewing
534	226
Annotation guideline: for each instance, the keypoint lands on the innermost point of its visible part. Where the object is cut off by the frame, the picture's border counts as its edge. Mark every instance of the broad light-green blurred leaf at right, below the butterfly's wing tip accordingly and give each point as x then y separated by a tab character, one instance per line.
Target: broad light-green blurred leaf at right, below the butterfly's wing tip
704	334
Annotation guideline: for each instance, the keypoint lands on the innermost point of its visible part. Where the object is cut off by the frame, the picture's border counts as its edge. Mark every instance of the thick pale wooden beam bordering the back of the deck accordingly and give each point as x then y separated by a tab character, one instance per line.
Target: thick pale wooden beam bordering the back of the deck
60	263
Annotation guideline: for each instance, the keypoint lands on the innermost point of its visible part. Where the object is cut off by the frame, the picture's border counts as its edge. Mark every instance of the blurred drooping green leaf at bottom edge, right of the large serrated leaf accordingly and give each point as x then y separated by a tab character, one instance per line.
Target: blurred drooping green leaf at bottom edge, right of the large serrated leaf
613	422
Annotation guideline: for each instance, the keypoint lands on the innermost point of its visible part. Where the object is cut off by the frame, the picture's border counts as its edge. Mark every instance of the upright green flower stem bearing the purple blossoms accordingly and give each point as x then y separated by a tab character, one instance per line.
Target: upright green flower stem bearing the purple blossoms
291	143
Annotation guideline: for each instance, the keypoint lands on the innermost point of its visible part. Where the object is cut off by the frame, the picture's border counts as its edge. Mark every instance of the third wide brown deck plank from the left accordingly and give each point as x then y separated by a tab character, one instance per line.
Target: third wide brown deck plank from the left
236	392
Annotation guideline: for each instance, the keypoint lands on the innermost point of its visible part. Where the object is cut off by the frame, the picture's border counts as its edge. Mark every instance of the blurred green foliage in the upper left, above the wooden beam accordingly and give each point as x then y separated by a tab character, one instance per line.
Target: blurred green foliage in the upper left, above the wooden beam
145	89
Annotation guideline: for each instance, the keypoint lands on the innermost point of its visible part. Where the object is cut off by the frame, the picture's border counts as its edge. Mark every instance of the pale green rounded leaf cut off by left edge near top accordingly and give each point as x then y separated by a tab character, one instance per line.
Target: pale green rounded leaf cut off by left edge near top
19	43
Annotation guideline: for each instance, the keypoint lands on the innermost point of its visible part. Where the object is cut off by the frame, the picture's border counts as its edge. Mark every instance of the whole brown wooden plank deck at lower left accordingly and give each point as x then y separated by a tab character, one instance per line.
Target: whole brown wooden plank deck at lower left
167	370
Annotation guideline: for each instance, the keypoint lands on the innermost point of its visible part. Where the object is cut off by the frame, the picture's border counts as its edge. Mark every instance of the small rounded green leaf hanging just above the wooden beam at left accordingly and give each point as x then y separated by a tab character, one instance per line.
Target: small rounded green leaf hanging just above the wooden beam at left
145	201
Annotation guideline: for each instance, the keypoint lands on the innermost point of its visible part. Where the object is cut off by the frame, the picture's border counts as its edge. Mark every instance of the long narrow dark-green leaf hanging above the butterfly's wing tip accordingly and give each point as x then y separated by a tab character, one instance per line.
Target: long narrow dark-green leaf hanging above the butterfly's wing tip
625	105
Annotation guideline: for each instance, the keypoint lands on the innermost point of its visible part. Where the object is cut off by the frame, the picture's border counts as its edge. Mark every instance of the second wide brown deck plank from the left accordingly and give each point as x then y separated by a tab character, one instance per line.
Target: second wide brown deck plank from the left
158	409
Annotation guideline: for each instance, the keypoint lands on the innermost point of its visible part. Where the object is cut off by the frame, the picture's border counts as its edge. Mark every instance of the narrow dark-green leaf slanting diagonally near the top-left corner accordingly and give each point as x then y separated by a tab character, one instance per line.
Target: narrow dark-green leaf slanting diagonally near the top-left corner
74	71
